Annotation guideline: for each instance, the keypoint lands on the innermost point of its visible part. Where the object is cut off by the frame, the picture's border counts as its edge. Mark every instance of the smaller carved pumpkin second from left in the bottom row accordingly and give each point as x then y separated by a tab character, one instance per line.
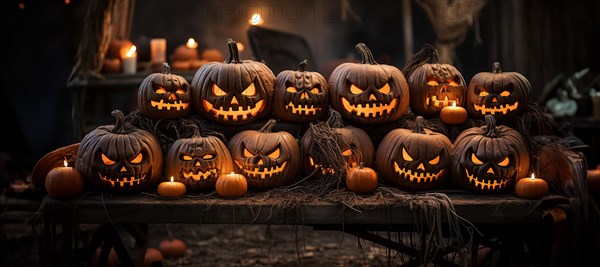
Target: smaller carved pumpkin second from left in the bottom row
198	161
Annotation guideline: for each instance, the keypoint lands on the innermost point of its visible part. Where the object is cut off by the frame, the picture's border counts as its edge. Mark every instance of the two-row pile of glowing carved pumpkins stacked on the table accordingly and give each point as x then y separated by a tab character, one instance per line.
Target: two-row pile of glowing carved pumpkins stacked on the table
485	157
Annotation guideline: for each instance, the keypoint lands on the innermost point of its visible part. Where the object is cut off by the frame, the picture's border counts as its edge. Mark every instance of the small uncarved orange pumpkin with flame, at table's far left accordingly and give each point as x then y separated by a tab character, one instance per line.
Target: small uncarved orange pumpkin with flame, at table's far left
64	182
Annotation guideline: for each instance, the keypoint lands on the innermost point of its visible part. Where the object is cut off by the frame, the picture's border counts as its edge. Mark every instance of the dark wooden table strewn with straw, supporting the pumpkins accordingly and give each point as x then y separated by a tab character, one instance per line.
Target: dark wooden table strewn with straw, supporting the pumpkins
485	216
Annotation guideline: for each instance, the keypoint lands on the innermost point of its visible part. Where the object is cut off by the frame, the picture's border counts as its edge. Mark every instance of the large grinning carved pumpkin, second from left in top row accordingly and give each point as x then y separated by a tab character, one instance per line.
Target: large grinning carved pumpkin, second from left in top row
233	92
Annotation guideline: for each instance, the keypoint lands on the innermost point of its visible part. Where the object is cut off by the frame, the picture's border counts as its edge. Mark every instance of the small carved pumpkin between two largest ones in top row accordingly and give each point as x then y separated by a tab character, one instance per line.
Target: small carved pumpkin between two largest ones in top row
300	96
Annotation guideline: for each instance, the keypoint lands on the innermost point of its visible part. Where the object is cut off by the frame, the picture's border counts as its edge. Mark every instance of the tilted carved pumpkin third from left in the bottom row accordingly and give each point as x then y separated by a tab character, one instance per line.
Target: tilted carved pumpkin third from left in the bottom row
267	159
